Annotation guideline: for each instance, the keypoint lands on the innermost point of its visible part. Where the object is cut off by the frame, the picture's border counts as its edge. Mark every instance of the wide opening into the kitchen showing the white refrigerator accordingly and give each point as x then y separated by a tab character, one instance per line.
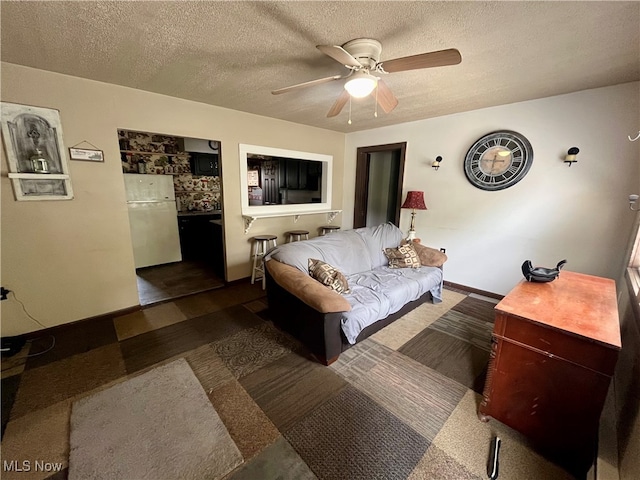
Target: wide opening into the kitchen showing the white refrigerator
173	187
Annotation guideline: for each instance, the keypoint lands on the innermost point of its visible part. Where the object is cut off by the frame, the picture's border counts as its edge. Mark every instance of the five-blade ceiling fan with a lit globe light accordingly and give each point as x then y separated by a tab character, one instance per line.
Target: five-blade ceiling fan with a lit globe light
362	57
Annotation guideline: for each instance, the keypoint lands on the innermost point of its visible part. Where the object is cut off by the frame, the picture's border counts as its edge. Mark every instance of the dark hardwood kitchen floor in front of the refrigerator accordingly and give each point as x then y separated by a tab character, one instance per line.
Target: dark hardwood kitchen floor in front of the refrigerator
173	280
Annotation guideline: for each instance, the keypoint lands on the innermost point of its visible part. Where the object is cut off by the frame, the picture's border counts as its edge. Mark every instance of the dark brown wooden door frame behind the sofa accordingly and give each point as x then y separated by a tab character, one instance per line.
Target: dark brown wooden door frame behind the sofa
363	161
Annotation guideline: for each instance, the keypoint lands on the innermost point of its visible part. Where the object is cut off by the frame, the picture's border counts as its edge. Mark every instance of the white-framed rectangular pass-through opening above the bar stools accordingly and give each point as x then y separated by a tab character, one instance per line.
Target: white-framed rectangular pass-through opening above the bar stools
275	182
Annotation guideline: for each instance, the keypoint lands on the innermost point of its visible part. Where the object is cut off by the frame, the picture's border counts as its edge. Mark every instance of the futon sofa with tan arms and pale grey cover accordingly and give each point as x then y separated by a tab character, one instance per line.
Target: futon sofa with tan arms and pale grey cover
374	294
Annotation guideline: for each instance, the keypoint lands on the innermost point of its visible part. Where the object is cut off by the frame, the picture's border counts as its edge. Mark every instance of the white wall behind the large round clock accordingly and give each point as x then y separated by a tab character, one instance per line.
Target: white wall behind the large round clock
579	213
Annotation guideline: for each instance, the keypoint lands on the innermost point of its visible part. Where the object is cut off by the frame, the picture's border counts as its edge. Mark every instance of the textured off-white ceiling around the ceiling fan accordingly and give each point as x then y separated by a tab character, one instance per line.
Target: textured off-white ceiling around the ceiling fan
232	54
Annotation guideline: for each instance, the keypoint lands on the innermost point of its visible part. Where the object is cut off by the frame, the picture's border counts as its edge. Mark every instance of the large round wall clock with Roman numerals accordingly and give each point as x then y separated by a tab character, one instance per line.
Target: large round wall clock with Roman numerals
498	160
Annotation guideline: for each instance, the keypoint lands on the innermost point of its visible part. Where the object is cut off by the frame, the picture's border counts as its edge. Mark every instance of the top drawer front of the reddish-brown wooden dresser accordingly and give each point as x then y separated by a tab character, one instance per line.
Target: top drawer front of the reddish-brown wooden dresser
553	342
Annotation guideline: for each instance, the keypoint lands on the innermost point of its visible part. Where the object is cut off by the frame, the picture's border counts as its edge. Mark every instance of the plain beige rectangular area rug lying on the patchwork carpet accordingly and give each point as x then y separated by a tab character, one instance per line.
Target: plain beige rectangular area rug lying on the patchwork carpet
159	425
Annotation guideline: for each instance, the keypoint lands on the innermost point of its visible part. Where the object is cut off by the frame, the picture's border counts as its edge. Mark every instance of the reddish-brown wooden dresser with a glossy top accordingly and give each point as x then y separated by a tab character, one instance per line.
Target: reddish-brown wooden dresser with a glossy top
554	351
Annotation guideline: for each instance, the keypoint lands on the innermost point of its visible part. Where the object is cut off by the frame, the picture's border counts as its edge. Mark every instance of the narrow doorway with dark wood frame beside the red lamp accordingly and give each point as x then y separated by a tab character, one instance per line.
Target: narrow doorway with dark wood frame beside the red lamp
378	192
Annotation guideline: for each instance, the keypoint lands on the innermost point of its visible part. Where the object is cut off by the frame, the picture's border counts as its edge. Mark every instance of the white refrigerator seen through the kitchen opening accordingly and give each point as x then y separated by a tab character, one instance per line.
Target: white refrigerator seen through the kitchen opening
153	219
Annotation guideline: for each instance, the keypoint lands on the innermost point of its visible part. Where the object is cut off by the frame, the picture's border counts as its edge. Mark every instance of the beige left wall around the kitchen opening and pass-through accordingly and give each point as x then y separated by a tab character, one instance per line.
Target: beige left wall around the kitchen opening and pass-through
69	260
